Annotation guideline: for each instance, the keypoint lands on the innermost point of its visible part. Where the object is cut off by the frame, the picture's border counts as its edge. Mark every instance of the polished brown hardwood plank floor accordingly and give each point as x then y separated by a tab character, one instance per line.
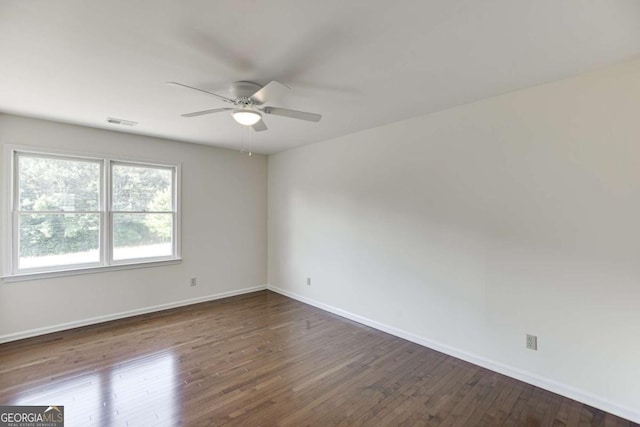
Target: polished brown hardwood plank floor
262	359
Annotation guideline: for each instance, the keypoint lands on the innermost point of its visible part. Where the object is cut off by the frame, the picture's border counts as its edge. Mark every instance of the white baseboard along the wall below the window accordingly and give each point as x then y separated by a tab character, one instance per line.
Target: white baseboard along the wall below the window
100	319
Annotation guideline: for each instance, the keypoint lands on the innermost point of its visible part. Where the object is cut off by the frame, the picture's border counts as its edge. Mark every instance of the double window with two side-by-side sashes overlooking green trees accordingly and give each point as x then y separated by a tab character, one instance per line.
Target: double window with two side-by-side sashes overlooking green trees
77	212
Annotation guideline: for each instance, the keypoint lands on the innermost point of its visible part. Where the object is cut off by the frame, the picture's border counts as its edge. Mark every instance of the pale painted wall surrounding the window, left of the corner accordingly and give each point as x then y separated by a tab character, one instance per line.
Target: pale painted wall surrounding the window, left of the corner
224	234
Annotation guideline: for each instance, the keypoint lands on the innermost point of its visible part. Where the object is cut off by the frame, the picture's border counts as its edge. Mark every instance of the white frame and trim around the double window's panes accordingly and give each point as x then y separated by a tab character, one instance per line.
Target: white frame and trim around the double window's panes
10	225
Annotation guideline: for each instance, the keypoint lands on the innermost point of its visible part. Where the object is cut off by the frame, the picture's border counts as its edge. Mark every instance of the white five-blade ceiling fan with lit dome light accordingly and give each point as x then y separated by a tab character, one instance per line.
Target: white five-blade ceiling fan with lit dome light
248	104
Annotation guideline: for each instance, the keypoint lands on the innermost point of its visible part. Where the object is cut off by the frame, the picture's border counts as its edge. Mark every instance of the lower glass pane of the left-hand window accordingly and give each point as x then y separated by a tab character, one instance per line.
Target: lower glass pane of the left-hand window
58	239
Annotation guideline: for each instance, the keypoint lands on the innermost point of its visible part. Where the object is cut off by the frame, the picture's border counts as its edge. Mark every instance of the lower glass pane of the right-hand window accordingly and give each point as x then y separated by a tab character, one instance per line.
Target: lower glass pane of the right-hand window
141	235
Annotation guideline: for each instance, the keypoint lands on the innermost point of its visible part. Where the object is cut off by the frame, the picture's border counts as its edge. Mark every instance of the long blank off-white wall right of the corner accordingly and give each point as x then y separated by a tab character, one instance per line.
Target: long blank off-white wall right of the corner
467	229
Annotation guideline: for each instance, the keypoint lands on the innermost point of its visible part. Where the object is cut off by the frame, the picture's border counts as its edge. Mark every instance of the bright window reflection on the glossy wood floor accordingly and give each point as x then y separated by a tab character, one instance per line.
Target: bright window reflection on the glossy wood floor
139	392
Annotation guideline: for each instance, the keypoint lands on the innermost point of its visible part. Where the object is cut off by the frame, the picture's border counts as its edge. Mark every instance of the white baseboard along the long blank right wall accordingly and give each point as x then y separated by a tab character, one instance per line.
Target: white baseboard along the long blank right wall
510	371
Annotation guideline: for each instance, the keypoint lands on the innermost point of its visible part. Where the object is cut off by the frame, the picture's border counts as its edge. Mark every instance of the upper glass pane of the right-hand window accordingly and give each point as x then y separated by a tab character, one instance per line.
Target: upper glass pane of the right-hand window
140	188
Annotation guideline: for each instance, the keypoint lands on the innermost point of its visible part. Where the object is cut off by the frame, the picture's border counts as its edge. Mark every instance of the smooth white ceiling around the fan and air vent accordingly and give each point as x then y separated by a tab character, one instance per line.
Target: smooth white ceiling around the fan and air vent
360	63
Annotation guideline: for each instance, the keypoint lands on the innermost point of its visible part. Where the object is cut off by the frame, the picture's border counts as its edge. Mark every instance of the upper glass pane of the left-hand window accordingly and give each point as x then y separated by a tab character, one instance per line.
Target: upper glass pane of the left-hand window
50	184
